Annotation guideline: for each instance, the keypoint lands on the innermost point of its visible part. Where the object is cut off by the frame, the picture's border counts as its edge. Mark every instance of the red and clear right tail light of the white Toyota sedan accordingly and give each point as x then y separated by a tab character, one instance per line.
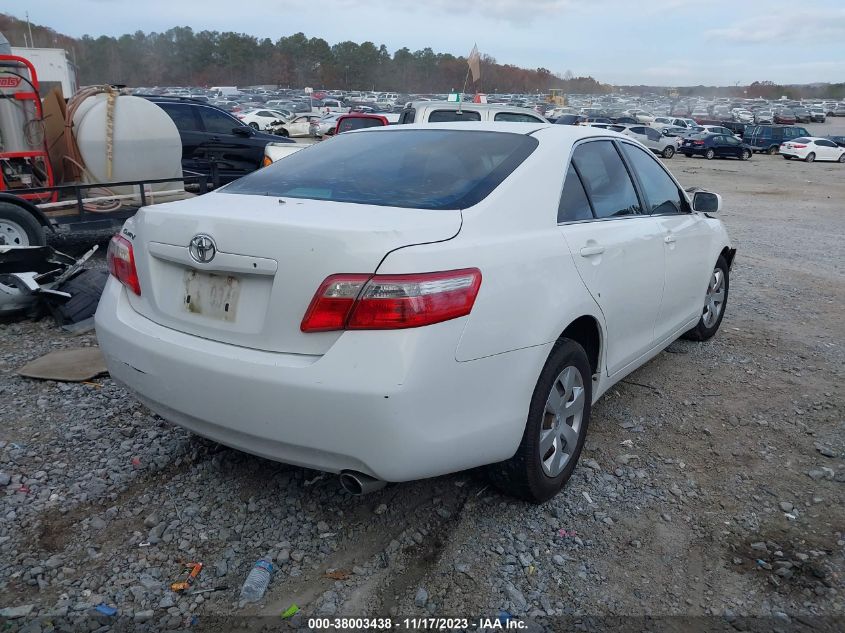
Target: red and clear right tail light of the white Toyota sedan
387	302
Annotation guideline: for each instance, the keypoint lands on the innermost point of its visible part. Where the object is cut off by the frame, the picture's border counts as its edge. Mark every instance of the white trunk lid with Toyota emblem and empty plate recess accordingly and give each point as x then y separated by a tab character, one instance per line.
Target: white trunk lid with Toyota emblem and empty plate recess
270	256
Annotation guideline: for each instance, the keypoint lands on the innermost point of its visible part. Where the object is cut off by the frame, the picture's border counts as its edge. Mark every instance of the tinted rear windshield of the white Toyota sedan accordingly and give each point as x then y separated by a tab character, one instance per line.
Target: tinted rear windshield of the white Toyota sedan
418	169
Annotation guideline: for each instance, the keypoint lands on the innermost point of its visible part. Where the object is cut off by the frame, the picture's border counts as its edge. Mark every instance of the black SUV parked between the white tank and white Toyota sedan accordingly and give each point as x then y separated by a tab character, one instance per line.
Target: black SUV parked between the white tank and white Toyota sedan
214	142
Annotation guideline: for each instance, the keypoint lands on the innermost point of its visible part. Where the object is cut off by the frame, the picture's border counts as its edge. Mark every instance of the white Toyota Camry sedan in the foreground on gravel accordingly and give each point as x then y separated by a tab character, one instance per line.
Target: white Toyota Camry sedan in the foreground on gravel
393	318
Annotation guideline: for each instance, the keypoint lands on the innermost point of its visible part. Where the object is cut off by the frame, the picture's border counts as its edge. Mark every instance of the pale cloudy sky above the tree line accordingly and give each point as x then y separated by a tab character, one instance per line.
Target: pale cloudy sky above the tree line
662	42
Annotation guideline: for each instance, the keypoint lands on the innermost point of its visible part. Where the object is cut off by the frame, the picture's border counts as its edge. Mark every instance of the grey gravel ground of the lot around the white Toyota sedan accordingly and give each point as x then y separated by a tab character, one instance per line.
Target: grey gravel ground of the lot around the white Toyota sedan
710	489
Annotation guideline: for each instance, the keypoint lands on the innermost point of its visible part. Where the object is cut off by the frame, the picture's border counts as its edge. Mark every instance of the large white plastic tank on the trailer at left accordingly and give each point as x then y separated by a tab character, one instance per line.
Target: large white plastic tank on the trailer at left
146	143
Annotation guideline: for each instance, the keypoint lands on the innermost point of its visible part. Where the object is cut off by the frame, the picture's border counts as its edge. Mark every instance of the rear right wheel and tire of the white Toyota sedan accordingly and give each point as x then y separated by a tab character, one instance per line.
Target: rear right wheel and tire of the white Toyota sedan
566	380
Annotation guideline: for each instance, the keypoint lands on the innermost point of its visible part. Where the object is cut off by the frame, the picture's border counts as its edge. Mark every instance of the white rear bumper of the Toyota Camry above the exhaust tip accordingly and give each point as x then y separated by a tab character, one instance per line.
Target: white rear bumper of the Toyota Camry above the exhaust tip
394	405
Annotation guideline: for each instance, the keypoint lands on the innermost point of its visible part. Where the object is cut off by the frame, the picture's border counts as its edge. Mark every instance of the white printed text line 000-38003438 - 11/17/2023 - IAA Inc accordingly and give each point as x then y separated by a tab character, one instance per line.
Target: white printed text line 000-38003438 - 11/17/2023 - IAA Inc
504	622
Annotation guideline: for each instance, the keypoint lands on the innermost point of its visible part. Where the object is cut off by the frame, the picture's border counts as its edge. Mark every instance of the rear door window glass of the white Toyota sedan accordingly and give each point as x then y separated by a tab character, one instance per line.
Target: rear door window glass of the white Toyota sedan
606	180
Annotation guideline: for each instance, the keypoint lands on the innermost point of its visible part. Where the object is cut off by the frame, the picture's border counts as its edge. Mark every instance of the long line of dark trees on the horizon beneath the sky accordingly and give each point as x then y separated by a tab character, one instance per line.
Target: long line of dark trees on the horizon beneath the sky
183	57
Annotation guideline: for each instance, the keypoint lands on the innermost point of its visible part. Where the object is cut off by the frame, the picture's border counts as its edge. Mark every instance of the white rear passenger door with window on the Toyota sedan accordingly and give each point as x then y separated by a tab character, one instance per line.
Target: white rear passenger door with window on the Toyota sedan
617	249
